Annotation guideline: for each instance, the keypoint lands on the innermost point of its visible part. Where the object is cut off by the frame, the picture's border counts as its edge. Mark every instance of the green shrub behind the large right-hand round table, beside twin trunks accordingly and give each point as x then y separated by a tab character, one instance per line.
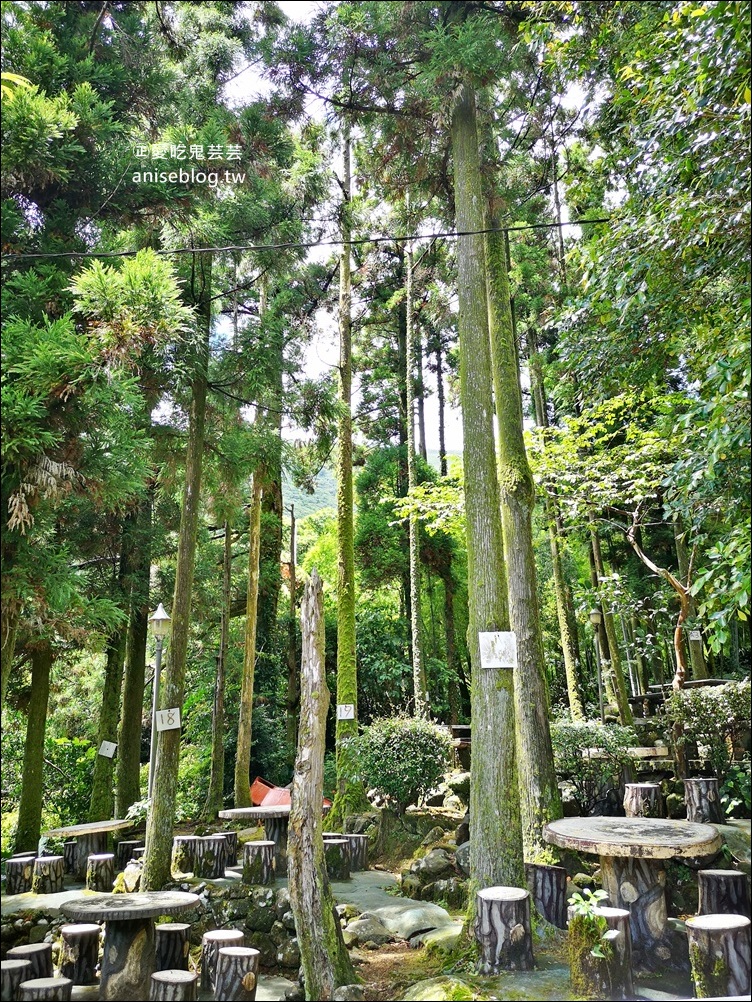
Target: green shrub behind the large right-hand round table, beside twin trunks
593	776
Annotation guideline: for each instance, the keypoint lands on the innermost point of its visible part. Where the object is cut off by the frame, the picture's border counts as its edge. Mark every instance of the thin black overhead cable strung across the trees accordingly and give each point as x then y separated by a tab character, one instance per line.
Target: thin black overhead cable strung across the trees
12	259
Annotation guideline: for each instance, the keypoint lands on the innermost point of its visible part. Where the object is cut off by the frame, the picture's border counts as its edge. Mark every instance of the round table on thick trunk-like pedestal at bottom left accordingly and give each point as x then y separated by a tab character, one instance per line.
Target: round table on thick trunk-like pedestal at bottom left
129	959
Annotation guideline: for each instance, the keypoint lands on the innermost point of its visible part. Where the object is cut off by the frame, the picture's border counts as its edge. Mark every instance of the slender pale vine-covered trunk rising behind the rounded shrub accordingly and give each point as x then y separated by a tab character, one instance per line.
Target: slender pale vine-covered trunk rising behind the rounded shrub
421	696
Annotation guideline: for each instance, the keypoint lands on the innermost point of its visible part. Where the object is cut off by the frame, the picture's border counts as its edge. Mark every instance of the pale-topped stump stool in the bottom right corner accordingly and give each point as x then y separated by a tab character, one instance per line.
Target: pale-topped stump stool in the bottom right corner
719	955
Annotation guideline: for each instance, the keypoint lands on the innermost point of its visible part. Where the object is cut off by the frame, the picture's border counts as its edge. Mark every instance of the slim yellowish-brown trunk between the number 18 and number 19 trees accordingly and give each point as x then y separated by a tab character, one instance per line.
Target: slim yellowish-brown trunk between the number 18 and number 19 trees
245	723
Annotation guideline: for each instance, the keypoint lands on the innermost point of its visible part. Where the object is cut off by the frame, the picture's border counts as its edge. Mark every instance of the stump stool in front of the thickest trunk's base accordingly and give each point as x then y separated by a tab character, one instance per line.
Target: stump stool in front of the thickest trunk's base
503	929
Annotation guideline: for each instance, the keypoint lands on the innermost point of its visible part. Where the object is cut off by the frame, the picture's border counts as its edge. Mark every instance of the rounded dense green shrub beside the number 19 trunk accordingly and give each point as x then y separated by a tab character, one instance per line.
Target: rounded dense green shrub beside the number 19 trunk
403	758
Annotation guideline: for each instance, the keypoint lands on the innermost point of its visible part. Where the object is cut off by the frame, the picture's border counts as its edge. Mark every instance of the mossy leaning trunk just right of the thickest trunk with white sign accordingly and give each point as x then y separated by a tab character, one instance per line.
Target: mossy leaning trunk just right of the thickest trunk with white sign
539	787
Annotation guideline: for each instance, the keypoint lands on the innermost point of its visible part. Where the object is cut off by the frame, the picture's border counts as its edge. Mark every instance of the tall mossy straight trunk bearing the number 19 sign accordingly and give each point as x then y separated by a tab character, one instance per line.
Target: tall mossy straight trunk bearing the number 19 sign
350	795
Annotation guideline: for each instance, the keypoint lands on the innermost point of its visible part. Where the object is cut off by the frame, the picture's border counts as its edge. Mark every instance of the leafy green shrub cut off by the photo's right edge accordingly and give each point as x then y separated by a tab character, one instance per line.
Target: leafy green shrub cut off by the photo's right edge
713	718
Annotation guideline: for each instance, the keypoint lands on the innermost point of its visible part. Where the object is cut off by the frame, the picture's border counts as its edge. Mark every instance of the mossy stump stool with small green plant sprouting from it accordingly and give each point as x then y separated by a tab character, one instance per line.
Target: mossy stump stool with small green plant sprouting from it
608	976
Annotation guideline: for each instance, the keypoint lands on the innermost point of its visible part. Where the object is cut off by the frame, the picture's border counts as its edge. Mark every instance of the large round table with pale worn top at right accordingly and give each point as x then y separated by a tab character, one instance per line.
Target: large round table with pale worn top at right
632	874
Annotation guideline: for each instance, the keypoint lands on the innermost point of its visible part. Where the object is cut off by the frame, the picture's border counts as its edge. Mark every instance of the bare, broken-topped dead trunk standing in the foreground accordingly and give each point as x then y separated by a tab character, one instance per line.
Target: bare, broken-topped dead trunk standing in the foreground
326	963
